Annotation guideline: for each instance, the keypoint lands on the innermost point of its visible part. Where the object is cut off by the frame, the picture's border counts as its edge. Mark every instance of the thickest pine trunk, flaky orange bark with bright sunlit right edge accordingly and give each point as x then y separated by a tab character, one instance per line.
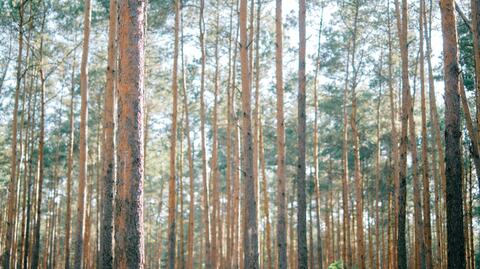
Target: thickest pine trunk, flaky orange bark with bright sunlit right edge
129	238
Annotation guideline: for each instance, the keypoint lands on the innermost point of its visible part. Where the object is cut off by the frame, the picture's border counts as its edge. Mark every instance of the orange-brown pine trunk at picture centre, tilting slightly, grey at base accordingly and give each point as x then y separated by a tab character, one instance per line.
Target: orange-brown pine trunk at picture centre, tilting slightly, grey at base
250	236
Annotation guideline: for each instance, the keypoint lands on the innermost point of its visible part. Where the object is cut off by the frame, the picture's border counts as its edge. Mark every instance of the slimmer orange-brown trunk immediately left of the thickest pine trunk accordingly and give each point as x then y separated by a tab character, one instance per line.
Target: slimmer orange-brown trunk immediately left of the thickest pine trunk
108	146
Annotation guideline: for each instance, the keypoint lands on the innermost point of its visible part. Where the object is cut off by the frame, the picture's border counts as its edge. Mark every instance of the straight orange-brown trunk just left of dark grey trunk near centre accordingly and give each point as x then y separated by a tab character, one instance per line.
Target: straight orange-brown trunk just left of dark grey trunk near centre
281	194
